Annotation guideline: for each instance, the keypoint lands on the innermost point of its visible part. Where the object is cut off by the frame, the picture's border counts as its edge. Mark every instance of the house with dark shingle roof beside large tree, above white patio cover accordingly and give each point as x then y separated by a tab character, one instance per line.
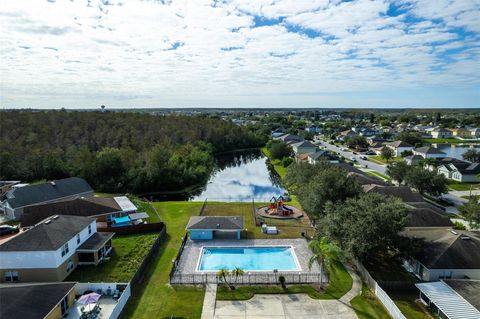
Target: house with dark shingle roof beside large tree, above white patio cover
444	253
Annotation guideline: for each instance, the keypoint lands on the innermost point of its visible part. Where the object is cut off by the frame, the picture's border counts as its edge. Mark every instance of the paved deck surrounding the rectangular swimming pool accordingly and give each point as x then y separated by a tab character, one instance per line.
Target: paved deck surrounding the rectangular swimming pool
191	252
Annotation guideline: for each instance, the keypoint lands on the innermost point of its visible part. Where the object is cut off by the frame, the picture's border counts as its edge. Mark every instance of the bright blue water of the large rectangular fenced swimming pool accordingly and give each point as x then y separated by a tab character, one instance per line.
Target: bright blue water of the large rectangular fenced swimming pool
248	258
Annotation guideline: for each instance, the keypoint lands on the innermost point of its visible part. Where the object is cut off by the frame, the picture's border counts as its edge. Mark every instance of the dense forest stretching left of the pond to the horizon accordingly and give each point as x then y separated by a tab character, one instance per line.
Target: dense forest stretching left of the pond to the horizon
117	152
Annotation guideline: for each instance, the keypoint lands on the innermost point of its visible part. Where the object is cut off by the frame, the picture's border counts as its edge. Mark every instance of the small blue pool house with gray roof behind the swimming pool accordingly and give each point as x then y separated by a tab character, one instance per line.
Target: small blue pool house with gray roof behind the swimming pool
210	227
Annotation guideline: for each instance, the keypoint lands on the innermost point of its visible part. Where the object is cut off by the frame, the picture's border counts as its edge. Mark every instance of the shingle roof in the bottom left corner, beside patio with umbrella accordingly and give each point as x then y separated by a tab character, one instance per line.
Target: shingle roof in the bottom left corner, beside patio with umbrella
31	300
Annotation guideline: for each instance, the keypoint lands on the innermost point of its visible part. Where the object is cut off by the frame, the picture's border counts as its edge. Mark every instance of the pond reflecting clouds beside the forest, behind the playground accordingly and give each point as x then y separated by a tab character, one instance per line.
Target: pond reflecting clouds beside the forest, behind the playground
241	177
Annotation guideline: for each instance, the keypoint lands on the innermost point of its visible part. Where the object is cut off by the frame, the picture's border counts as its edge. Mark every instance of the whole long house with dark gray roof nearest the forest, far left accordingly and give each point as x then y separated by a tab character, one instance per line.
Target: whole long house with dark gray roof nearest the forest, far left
19	198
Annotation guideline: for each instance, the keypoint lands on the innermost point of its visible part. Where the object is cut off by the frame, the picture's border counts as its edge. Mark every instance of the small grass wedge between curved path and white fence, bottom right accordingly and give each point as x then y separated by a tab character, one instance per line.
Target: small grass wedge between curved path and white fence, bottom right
367	306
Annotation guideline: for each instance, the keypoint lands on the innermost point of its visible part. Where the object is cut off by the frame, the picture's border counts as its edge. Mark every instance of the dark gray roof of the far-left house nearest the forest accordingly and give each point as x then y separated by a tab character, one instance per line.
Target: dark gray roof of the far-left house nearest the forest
33	194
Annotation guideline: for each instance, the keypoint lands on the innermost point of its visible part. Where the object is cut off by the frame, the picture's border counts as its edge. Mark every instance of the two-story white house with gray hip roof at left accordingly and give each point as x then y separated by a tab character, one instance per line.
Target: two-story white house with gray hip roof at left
52	249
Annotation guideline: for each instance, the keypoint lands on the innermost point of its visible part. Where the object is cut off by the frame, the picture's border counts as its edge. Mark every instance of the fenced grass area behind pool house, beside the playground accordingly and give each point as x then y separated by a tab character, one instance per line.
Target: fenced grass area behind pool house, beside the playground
290	228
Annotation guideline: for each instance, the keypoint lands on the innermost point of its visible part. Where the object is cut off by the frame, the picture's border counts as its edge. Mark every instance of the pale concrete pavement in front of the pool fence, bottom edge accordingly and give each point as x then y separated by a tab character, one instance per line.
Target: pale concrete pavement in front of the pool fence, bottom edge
294	306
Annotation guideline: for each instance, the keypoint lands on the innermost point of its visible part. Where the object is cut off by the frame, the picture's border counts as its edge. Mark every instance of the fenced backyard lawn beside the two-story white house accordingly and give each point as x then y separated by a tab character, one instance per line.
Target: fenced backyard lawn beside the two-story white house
128	253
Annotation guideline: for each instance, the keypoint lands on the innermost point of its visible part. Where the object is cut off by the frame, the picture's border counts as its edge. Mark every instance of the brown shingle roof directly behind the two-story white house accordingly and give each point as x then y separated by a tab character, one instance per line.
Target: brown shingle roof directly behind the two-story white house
89	206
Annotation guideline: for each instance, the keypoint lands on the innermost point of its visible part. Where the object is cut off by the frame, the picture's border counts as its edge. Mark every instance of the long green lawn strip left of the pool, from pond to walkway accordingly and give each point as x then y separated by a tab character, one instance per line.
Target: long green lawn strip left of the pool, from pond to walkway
157	299
